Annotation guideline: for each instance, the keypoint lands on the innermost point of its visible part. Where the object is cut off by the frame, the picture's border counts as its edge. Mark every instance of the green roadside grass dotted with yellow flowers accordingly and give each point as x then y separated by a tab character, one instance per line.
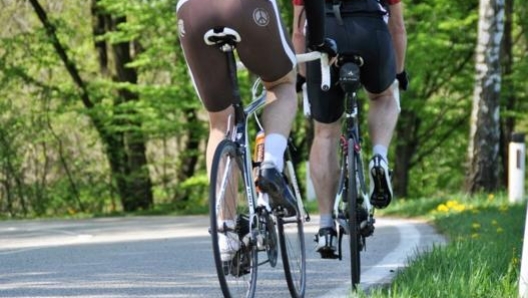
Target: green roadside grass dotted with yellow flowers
481	258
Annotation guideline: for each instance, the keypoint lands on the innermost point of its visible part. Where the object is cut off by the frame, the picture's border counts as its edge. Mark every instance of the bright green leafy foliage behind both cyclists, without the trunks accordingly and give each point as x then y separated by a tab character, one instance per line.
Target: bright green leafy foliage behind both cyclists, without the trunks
54	157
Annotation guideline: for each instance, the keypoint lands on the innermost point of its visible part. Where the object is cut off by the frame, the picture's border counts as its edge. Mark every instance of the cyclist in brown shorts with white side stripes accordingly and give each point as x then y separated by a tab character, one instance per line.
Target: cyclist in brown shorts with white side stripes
266	51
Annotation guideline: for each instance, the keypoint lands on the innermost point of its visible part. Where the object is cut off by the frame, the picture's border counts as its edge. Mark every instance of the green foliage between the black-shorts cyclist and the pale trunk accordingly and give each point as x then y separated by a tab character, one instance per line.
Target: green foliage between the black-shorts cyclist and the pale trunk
440	63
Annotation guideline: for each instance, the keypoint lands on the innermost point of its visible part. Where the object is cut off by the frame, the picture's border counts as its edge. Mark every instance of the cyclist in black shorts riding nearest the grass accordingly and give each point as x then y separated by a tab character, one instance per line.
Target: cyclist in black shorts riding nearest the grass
360	27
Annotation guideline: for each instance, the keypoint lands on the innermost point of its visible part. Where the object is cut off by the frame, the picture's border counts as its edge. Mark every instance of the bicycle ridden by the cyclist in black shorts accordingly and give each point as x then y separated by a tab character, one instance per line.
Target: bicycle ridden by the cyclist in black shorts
352	208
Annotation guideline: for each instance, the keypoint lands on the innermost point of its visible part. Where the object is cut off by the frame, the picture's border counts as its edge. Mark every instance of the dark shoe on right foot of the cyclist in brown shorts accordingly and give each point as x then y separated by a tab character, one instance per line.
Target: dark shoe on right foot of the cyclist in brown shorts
272	182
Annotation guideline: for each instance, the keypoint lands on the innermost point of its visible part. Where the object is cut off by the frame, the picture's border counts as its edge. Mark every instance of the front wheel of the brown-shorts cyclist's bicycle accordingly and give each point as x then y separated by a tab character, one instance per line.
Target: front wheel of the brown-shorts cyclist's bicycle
292	244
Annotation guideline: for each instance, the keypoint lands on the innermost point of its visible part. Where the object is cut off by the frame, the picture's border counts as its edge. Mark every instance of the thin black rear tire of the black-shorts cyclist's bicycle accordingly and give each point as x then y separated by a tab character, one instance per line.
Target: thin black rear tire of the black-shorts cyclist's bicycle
352	194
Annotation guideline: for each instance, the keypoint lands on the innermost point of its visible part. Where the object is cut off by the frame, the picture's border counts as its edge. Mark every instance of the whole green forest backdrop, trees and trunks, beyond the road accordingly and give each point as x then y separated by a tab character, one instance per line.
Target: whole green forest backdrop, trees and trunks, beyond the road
98	113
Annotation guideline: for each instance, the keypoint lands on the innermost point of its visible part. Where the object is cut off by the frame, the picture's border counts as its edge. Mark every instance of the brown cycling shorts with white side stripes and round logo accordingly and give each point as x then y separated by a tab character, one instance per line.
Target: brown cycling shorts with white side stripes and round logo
265	47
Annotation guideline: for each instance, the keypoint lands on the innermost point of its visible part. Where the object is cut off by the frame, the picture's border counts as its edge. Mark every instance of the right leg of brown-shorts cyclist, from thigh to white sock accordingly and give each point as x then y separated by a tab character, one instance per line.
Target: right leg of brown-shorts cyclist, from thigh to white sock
267	51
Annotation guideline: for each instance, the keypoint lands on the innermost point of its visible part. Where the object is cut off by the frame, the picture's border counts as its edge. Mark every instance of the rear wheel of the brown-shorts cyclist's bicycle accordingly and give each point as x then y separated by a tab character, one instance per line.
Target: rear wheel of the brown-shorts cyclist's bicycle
229	219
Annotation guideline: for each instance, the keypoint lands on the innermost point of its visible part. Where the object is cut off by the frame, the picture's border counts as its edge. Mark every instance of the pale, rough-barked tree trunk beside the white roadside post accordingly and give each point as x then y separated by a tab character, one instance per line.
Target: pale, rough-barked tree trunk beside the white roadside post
483	151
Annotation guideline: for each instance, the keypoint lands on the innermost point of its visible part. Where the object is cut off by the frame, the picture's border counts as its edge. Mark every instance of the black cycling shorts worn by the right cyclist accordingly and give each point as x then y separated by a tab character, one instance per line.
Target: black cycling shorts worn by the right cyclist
367	36
